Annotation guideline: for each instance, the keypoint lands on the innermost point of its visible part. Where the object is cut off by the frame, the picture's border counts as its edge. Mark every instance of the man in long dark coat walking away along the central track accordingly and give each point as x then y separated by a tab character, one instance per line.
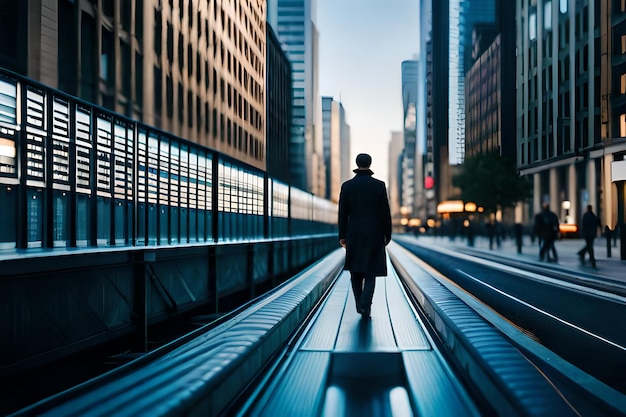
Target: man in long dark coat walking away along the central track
364	230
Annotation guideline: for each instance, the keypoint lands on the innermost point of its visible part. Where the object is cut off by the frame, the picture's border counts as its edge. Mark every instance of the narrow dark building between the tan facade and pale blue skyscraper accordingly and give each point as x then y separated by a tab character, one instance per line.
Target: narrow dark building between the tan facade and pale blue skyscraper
278	111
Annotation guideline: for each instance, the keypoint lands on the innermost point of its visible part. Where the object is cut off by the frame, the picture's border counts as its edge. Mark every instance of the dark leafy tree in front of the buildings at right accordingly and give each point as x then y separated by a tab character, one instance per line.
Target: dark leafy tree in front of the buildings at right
492	182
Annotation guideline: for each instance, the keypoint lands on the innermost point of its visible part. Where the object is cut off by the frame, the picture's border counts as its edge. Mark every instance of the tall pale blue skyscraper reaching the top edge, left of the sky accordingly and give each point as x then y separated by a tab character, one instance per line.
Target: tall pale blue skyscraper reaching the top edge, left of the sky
293	22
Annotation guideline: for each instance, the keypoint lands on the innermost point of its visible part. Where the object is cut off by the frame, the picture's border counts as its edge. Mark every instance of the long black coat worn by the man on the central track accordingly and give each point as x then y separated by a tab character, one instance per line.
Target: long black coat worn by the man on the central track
365	223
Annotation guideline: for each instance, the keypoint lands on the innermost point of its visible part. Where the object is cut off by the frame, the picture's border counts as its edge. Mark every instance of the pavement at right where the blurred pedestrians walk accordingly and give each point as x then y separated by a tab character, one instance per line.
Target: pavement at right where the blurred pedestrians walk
612	268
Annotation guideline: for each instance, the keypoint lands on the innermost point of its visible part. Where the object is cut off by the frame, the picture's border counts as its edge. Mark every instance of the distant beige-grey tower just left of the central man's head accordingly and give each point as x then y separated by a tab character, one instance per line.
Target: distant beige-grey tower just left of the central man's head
336	144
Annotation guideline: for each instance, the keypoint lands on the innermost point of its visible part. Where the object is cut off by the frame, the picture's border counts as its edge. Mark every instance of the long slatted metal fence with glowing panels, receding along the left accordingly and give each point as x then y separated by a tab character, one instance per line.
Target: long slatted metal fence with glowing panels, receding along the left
72	174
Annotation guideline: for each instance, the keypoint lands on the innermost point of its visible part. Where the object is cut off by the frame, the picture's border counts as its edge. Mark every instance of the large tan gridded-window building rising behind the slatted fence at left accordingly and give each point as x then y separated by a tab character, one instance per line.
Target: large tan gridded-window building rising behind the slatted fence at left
195	68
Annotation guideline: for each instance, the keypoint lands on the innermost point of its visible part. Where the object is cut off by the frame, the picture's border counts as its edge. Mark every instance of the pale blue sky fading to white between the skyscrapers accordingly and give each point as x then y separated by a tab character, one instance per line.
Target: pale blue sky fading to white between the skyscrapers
362	46
